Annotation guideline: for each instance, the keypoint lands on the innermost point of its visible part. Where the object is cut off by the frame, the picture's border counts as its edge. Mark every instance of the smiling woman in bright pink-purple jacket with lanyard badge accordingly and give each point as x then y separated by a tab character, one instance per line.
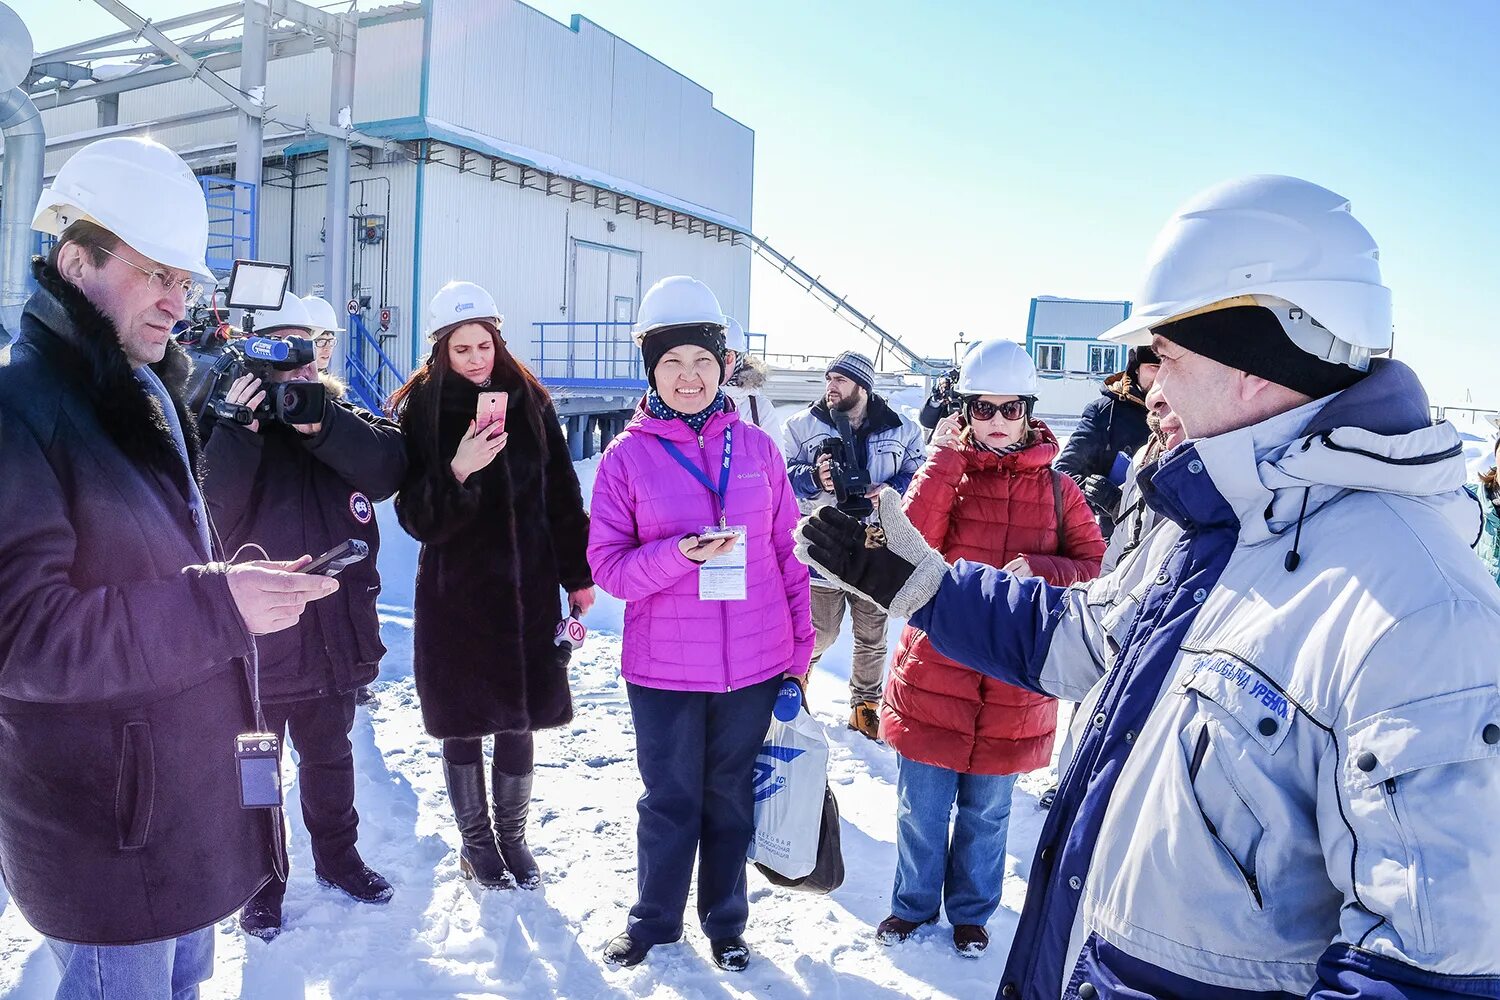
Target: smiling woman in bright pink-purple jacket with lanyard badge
692	527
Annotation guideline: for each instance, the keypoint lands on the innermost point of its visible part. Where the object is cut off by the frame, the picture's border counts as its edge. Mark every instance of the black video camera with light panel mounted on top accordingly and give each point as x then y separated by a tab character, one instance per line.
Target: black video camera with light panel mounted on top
220	358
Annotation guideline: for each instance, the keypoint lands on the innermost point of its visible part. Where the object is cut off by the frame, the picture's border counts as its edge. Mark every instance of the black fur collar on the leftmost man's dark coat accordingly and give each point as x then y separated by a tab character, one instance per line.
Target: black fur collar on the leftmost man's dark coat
85	346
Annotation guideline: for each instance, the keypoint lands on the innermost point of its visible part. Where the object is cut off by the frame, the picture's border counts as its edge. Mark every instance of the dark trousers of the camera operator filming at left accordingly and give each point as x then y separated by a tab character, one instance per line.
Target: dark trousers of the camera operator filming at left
320	734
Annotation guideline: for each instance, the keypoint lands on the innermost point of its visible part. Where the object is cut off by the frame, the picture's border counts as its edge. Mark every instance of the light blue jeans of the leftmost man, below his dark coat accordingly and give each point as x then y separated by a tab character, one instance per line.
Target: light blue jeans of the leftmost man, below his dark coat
163	971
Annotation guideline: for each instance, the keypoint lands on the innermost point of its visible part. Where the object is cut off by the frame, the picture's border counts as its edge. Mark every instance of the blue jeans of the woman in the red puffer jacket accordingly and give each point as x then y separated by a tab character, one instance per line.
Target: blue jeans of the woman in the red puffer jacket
964	875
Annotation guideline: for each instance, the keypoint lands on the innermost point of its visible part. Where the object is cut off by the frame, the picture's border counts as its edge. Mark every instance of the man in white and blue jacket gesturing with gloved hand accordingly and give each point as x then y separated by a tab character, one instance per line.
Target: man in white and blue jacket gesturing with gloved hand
1291	782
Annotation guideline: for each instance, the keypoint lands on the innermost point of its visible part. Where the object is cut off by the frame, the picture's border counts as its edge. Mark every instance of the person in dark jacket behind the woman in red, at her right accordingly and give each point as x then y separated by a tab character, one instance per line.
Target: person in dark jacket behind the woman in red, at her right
1109	433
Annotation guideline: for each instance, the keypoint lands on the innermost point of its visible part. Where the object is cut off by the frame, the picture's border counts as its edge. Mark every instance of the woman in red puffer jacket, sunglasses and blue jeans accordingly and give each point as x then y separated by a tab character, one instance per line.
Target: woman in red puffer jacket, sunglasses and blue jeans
989	496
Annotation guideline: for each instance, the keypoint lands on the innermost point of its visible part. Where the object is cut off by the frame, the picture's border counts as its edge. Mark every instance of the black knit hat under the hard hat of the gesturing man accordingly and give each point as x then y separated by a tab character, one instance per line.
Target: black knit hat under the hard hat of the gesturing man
1252	340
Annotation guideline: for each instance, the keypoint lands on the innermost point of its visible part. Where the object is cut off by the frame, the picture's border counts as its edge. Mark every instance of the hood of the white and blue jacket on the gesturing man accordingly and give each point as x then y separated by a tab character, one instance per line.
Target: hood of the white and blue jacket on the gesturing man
1375	437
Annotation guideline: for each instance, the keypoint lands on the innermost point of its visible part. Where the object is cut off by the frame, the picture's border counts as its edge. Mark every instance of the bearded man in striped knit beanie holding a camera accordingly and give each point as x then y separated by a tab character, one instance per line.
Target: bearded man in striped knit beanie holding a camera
886	451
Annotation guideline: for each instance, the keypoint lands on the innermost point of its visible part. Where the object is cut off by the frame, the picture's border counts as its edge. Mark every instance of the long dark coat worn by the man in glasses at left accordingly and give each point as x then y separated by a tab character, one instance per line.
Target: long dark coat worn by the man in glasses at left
122	684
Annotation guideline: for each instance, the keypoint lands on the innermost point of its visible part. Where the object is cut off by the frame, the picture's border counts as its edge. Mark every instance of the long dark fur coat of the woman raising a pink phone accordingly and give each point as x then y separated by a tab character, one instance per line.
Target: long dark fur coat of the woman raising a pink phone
496	551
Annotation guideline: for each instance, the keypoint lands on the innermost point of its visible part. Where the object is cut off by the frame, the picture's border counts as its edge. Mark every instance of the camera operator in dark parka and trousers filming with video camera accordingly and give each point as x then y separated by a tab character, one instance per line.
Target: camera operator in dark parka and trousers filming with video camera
308	488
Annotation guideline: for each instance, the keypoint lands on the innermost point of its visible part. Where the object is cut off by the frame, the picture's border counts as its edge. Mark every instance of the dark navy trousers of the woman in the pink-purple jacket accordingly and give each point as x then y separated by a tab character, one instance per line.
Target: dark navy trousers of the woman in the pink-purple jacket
697	753
